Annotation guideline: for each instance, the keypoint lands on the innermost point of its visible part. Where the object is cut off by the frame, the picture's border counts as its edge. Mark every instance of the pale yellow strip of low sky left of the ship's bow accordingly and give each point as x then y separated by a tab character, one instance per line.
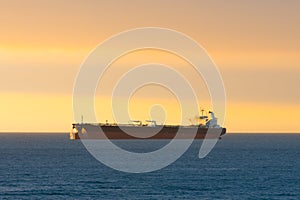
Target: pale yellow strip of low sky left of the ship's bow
35	113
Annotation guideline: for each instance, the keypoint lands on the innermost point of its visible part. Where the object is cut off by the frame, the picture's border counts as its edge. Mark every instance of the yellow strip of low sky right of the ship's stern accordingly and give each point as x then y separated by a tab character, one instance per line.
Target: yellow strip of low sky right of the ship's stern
262	118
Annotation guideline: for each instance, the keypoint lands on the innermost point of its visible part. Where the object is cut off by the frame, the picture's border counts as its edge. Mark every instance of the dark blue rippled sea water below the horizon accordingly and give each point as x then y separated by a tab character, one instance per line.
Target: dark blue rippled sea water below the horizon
241	166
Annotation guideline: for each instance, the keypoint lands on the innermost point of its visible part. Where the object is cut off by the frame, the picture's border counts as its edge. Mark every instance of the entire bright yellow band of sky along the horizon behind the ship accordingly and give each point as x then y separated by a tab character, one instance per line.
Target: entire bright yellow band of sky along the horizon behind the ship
50	113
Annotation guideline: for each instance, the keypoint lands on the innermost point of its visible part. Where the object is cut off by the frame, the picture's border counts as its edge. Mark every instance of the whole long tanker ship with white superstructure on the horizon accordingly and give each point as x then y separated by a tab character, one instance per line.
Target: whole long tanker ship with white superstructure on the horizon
136	129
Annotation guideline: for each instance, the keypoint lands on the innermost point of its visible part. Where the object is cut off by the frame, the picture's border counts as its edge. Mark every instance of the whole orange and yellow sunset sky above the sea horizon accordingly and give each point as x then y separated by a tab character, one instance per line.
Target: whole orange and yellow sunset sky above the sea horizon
255	44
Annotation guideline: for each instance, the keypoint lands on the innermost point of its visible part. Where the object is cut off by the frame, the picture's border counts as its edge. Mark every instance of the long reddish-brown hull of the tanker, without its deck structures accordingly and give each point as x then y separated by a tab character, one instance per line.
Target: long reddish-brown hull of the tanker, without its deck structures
90	131
